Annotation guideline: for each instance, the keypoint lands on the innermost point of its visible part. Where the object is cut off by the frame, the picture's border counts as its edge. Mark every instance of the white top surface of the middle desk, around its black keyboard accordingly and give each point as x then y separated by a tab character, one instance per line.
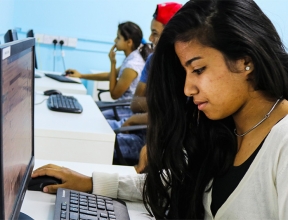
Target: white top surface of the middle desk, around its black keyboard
89	125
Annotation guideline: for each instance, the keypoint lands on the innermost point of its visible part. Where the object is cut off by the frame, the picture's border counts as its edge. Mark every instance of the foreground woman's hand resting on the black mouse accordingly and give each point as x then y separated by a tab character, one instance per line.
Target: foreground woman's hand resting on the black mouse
70	179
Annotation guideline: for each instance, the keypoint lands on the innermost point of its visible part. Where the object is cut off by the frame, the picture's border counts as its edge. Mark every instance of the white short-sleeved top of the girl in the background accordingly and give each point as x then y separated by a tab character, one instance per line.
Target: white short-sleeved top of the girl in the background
133	61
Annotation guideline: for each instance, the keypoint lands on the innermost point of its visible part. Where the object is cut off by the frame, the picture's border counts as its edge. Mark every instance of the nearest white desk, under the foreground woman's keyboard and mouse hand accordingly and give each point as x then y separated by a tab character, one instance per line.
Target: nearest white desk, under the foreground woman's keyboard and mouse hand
40	206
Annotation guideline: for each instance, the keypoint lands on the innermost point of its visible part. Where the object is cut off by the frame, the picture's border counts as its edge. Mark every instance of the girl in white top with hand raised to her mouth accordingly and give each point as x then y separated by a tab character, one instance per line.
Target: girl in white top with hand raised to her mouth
124	79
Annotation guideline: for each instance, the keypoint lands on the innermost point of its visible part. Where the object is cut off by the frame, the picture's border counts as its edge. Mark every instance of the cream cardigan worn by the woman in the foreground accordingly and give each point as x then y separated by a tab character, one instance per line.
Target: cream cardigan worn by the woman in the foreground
261	194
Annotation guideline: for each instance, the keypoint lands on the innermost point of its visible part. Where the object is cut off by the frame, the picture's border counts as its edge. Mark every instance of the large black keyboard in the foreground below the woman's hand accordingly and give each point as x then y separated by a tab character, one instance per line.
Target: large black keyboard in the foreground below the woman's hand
72	205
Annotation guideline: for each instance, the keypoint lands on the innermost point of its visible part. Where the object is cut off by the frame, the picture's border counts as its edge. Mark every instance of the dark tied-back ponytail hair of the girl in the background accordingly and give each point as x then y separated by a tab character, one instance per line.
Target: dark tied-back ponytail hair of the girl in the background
130	30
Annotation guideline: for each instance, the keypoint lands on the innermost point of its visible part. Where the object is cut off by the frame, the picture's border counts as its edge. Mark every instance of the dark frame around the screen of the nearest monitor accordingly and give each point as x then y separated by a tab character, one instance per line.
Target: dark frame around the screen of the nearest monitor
16	47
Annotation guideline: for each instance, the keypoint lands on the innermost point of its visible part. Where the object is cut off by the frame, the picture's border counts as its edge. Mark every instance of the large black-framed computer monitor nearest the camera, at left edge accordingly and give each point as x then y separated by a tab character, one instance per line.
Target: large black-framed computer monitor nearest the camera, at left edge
16	125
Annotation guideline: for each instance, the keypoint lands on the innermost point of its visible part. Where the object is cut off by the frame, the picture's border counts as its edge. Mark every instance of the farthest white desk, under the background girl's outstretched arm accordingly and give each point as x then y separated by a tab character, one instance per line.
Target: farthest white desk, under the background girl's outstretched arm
46	83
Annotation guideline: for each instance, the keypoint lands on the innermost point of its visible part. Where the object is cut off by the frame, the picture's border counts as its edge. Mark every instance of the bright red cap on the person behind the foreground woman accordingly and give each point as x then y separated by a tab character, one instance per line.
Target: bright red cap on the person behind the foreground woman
165	11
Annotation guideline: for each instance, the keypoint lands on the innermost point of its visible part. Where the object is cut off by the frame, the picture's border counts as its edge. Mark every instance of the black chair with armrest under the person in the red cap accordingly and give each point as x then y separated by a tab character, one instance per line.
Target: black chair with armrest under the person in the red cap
120	159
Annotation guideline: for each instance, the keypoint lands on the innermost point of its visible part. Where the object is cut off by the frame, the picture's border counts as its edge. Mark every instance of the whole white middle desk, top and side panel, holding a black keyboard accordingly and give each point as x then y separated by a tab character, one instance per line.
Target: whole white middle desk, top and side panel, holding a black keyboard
85	137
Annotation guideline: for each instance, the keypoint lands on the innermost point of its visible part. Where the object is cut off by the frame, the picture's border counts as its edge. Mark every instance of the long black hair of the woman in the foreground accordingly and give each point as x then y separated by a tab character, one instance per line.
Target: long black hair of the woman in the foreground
186	150
